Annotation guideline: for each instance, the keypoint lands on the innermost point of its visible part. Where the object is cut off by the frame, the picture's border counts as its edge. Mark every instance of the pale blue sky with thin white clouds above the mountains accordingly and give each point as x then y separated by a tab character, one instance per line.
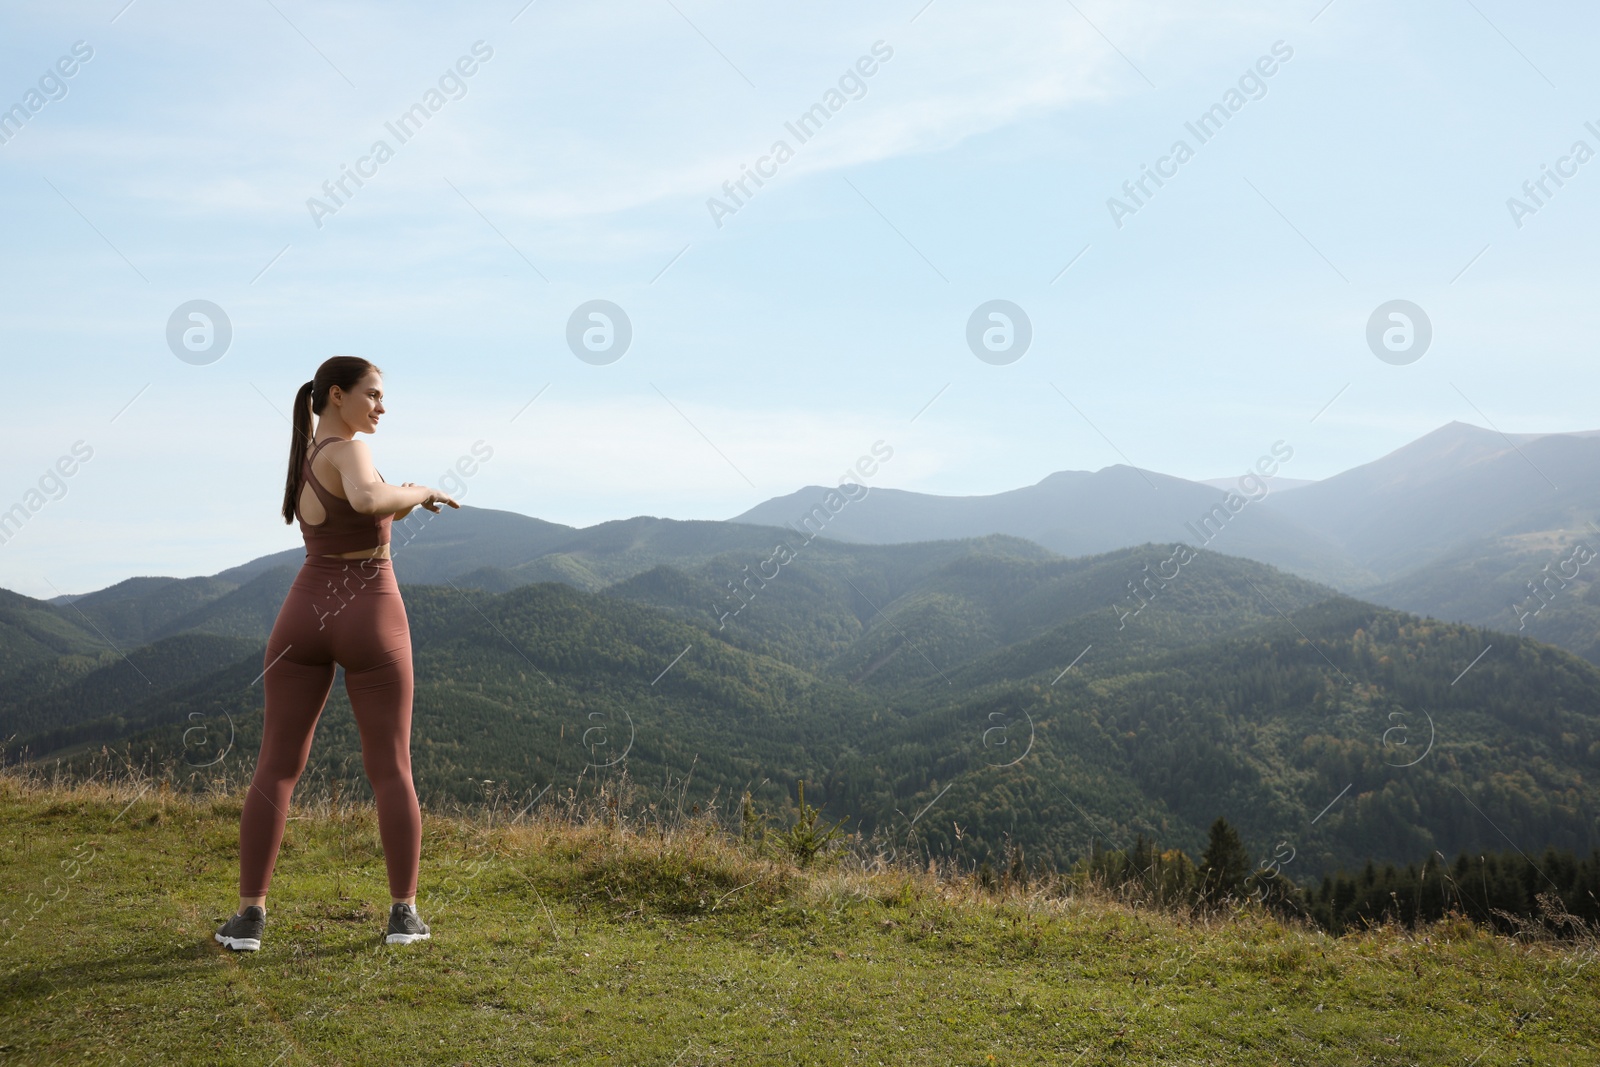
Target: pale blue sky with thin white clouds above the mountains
772	351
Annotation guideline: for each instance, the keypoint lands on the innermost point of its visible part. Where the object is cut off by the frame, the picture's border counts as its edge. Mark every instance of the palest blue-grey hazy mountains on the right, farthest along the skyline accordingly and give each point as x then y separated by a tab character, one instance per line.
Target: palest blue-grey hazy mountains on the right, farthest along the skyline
1486	510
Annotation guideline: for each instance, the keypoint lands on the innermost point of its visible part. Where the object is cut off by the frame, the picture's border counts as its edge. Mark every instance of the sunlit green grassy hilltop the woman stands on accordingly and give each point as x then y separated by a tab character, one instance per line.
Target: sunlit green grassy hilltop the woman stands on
666	941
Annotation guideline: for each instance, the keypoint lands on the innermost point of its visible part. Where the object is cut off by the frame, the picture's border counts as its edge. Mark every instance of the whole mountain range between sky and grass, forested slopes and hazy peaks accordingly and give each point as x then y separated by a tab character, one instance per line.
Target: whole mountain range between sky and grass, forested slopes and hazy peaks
954	693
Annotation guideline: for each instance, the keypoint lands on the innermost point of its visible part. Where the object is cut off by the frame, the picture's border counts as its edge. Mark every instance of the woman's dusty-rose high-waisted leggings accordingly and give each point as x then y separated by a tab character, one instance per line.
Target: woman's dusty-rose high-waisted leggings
346	613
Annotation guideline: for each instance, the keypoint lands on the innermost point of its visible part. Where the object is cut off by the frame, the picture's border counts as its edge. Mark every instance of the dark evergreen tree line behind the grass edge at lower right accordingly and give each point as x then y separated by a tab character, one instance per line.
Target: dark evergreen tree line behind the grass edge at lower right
1506	890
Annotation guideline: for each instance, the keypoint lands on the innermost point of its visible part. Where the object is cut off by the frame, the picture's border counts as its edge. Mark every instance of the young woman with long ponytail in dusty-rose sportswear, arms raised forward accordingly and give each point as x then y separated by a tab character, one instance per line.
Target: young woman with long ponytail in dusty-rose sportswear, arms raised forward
343	609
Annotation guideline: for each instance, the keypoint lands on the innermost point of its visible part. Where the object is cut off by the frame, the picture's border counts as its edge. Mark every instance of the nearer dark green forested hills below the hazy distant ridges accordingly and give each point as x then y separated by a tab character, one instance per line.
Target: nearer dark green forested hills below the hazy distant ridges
953	697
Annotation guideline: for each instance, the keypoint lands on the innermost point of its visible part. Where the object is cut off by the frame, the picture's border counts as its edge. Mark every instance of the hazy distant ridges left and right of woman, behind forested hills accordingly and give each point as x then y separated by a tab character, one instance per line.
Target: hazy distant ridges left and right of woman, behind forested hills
1455	526
